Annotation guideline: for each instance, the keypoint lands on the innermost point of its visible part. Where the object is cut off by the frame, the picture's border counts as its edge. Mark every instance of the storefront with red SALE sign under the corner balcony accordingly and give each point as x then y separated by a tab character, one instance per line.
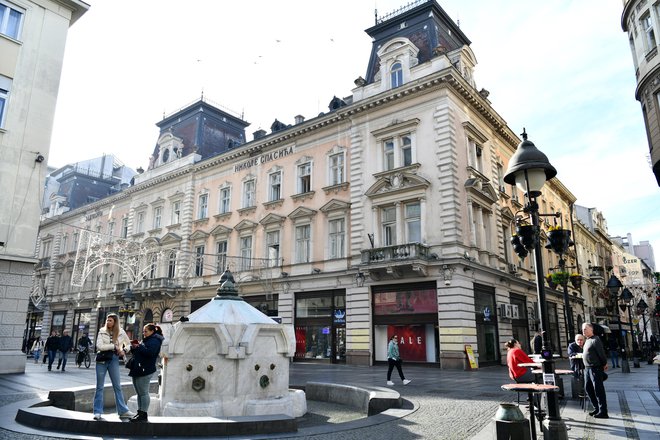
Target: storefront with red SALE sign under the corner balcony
409	311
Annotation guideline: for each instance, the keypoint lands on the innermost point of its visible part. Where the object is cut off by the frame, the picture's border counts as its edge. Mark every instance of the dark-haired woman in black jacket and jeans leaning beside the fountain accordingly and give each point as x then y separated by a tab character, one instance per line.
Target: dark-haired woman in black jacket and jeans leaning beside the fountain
143	366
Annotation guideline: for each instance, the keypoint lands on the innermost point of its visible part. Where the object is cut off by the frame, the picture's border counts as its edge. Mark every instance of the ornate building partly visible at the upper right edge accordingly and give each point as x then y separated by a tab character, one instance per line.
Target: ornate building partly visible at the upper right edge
641	20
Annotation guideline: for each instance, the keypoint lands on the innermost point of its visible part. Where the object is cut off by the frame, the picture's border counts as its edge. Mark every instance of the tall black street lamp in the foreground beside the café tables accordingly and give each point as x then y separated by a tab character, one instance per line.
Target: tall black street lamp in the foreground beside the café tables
529	169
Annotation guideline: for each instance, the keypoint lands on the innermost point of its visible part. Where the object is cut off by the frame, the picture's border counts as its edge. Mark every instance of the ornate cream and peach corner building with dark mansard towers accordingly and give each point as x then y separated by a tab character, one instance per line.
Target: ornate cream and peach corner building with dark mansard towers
386	214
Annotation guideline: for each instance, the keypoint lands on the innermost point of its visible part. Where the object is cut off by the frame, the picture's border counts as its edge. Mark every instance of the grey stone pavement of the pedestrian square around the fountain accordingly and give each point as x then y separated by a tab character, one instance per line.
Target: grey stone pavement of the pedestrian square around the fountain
444	404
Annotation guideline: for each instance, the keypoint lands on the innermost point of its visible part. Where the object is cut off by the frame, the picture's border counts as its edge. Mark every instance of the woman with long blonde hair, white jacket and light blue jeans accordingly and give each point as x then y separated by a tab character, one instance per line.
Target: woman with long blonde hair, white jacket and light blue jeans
111	343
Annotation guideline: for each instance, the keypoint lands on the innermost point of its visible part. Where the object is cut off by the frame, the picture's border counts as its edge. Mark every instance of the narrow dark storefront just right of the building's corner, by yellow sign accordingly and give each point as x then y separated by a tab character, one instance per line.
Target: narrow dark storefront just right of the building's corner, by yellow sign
486	319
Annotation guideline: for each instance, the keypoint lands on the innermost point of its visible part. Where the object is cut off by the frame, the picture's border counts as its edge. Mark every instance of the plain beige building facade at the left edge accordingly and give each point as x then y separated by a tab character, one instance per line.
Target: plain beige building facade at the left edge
32	39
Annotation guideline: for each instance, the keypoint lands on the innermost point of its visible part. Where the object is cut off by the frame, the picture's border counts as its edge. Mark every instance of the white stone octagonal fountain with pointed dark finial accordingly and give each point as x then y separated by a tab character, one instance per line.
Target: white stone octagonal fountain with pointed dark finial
228	359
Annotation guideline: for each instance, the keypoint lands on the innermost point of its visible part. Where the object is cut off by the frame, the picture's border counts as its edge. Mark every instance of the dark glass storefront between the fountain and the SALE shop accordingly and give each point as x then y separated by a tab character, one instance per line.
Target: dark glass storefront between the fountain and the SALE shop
320	326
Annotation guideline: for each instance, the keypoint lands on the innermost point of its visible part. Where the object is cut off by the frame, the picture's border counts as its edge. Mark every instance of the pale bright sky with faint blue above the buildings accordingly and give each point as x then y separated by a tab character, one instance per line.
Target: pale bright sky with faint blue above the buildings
561	69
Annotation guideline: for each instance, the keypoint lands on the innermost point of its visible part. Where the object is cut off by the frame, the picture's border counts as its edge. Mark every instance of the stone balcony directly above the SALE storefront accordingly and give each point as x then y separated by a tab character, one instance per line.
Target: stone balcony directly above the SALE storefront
396	261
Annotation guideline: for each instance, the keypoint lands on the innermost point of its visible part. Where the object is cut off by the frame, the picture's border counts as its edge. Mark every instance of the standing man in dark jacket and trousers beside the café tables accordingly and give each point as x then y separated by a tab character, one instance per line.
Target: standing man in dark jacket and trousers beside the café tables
595	363
